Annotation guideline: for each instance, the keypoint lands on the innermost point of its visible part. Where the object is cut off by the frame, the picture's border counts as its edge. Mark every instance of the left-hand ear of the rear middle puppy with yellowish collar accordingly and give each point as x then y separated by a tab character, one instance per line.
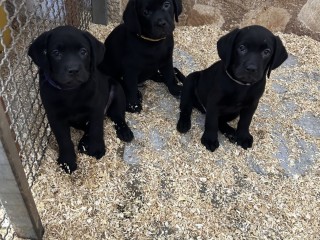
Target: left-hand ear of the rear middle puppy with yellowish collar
130	17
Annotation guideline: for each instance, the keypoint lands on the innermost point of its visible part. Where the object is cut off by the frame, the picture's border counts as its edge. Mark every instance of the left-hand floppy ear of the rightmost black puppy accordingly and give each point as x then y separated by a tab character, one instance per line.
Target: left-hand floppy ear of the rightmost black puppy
225	46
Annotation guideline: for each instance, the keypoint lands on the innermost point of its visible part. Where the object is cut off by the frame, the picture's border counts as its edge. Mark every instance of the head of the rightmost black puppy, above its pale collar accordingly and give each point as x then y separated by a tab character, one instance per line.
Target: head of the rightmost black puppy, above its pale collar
250	53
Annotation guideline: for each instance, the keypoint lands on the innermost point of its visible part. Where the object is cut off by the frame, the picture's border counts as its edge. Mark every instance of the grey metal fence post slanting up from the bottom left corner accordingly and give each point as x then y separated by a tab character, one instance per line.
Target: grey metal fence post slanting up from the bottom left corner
15	193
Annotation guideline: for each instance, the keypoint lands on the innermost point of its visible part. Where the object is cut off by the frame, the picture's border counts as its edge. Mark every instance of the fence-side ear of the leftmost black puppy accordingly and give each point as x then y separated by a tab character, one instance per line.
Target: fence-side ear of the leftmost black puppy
38	50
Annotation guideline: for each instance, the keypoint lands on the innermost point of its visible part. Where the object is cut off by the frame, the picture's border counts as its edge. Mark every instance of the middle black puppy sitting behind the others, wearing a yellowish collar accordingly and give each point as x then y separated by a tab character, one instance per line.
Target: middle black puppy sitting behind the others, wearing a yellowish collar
142	46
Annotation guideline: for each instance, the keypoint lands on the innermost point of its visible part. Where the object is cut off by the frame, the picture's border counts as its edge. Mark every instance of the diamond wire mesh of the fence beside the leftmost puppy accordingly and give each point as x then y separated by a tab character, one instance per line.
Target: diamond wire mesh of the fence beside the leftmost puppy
24	20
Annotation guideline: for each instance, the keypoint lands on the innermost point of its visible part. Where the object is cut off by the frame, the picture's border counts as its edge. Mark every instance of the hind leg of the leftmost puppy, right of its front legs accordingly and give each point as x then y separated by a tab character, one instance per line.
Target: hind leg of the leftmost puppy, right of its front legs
116	112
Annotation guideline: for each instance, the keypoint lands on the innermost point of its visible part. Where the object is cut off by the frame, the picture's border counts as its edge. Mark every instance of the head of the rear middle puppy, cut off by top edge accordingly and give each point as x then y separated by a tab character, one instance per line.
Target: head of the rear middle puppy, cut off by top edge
152	18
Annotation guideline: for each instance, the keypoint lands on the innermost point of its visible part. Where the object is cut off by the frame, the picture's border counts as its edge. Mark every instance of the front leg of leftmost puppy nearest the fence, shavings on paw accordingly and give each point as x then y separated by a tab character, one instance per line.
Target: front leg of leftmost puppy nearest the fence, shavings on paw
67	156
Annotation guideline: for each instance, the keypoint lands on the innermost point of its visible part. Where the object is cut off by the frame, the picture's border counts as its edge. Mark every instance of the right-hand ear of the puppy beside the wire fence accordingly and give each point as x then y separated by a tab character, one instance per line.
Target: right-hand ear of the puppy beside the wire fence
97	49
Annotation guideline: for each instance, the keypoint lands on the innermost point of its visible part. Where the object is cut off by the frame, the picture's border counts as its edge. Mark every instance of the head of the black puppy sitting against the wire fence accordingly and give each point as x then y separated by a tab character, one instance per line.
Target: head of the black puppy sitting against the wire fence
67	55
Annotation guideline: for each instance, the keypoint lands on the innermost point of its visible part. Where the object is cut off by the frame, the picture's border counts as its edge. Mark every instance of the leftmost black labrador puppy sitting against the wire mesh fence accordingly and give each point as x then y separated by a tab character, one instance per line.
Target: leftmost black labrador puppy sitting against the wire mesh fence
75	93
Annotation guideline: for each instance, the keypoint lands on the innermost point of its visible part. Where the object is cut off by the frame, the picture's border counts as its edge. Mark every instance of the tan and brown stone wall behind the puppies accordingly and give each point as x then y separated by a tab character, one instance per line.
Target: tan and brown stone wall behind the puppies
295	16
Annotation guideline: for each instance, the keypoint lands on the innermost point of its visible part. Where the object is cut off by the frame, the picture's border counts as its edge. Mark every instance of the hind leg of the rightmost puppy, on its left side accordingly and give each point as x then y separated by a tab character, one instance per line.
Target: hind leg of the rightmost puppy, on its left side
186	104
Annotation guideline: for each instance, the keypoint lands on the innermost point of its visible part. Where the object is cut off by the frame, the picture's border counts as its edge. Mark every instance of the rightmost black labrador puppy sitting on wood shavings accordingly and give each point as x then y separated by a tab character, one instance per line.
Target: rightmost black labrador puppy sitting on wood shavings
232	86
